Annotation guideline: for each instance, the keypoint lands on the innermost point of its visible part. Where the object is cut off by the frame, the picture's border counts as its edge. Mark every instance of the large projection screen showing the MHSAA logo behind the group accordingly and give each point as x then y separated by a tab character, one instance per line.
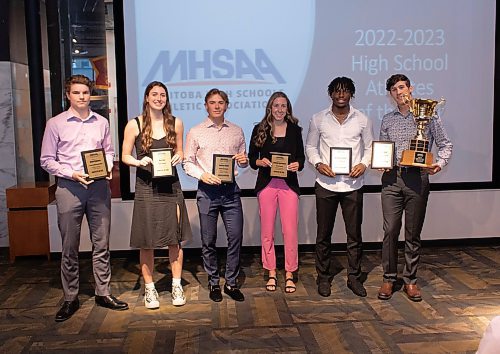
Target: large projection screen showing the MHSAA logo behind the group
251	49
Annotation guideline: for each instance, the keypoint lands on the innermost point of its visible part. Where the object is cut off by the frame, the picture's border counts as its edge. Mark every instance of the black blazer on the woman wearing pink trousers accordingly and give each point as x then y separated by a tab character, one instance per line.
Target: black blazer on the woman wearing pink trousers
293	145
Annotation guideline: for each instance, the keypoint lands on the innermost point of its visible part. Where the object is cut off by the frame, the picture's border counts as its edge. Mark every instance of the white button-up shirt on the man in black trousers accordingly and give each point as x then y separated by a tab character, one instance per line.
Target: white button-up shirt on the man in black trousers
325	131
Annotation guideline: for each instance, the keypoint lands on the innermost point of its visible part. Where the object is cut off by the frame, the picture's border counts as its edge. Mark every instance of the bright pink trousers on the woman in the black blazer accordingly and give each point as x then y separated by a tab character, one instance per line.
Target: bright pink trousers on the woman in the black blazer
277	193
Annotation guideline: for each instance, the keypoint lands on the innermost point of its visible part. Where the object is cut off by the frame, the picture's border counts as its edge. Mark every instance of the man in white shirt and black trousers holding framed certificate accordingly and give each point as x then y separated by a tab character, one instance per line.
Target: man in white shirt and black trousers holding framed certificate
339	126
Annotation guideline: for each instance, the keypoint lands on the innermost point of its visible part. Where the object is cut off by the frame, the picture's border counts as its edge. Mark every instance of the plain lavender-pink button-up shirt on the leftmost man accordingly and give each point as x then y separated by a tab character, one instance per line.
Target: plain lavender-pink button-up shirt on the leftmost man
66	136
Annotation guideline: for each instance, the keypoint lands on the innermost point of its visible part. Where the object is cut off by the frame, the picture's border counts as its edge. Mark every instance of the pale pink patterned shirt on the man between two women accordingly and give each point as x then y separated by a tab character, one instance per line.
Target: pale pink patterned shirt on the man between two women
205	140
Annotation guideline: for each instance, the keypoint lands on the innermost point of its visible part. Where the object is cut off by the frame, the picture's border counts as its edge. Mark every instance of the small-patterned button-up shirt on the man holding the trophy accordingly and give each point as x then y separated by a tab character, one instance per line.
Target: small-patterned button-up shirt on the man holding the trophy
401	129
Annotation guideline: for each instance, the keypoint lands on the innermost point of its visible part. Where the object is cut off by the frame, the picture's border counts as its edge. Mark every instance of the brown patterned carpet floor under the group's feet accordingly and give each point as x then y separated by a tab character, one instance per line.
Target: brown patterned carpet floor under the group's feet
460	288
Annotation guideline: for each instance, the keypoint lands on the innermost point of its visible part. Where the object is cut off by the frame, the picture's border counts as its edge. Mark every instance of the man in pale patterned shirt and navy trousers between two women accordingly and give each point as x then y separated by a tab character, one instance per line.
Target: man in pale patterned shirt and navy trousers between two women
216	135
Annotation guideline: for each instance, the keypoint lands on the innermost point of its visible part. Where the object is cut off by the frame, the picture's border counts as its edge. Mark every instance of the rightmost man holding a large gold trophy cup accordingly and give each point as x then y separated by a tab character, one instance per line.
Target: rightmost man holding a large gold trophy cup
413	127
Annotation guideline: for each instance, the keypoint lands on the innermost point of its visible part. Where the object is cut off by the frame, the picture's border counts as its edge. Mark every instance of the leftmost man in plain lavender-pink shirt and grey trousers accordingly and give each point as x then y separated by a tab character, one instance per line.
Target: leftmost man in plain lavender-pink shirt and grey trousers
66	136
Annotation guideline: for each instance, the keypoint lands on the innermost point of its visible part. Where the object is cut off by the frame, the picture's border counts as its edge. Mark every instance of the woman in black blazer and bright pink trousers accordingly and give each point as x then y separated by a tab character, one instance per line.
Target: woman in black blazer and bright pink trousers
278	132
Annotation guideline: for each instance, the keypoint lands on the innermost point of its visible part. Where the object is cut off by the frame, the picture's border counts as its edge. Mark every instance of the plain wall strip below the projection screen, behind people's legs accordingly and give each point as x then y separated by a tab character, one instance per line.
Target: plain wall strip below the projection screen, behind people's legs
450	215
